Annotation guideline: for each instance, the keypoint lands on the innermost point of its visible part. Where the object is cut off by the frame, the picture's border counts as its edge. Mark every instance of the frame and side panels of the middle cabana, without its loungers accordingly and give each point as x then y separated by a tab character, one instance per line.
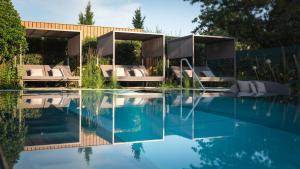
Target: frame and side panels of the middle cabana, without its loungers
153	45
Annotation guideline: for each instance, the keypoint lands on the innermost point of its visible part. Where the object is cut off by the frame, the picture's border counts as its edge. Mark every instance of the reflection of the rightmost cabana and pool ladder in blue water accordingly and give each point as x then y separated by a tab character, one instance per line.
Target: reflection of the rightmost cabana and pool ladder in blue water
189	114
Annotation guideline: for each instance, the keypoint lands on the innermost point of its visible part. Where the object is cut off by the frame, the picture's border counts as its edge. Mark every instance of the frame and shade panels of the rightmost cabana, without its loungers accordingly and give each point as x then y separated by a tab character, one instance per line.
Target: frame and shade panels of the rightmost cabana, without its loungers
216	47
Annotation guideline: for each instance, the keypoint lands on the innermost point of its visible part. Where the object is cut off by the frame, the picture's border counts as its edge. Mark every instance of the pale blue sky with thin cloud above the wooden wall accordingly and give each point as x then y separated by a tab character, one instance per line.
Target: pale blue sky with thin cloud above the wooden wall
173	17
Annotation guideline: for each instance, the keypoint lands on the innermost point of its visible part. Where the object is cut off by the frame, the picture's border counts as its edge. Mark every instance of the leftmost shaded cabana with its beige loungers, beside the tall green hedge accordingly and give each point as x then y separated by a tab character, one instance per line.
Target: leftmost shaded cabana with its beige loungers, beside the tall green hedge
63	72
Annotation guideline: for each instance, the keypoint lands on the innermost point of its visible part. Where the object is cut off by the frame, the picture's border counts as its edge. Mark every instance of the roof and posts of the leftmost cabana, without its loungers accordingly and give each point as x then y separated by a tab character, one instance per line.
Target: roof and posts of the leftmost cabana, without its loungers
74	45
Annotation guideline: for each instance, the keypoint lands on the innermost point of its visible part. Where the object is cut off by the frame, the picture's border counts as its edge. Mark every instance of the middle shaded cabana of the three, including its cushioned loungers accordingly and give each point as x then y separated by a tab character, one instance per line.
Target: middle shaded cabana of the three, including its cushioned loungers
152	51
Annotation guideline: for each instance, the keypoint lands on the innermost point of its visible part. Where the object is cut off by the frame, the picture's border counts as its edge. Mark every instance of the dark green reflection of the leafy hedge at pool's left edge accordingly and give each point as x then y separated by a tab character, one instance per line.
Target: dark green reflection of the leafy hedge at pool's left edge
12	133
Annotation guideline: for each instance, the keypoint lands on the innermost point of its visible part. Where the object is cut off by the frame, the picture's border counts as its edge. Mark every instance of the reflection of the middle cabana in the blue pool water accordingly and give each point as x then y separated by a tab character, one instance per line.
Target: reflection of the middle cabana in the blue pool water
136	103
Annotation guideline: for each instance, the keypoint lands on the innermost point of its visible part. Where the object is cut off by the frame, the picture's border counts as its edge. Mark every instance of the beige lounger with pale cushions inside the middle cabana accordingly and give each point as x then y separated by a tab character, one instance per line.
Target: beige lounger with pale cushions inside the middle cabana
129	73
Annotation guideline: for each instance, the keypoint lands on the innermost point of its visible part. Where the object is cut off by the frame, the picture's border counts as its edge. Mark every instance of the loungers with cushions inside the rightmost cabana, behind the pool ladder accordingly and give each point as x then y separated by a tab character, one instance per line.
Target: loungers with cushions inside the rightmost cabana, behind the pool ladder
203	72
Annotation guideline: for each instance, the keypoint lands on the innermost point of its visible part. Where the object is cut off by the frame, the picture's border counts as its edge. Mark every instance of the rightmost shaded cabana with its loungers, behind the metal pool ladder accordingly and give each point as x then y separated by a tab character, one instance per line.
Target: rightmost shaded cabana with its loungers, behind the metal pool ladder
213	48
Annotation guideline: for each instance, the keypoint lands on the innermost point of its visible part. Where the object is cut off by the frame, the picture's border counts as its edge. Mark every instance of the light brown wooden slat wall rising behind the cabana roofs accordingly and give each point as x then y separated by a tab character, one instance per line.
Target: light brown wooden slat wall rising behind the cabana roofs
87	31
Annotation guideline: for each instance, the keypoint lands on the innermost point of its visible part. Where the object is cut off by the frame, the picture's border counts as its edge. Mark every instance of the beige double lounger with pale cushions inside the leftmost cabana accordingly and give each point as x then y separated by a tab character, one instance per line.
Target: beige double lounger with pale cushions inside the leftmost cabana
46	73
